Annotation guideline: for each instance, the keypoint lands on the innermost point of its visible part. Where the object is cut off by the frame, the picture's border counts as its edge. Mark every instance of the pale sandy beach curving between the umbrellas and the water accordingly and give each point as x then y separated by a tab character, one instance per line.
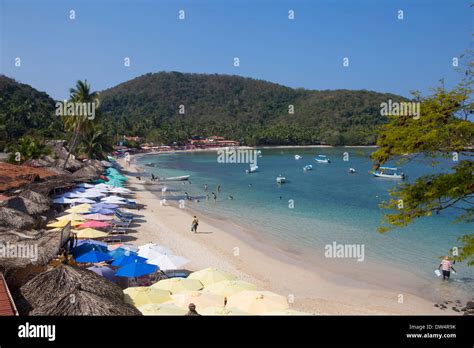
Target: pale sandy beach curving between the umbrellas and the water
230	247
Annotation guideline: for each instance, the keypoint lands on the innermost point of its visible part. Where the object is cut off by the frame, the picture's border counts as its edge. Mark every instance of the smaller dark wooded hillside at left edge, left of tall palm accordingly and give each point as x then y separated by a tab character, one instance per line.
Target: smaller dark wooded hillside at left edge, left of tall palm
24	109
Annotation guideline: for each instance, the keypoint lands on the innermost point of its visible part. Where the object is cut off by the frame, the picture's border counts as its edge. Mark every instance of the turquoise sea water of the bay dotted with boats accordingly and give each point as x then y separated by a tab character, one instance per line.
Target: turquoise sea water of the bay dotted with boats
328	205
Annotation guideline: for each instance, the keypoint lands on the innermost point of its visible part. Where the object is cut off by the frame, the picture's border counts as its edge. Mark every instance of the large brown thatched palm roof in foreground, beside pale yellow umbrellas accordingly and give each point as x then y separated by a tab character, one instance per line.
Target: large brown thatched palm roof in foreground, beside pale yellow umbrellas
68	290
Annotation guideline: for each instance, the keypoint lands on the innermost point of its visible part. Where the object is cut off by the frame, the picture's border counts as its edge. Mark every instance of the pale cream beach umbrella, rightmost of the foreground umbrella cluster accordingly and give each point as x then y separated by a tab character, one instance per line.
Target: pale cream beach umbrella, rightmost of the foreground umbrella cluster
257	302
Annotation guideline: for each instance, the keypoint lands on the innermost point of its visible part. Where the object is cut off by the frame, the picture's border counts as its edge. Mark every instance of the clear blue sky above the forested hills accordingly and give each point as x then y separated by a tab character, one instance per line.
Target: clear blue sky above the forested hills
385	54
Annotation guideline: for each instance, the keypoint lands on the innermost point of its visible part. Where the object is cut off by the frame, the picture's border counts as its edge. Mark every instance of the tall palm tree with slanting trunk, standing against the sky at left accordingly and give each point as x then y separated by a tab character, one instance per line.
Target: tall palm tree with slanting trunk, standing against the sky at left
79	124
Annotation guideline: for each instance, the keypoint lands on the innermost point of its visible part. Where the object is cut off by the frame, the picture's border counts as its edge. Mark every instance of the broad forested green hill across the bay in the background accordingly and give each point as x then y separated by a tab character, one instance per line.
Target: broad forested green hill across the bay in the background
239	108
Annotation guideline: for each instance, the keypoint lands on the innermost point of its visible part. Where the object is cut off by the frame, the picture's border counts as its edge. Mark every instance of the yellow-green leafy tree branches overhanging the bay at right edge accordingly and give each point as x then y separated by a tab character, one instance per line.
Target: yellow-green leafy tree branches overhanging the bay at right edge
442	130
